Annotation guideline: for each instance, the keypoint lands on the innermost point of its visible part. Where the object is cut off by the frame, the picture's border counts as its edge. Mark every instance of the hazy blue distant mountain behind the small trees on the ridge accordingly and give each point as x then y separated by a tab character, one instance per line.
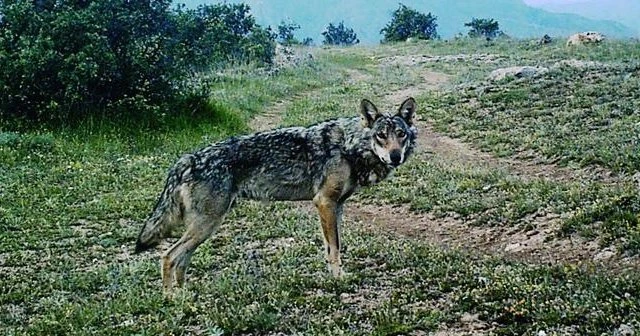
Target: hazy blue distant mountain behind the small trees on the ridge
367	17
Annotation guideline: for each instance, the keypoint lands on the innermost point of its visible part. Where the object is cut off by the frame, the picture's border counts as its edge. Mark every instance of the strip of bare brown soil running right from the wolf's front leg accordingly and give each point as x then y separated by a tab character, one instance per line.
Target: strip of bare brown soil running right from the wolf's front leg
538	245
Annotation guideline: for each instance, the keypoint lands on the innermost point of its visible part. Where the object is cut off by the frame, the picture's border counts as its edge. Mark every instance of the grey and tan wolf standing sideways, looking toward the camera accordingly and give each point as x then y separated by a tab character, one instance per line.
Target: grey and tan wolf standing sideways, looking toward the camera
325	163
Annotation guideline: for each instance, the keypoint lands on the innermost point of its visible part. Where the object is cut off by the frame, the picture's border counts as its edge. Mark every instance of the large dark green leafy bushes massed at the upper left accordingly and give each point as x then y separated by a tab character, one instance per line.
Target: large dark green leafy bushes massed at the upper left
64	60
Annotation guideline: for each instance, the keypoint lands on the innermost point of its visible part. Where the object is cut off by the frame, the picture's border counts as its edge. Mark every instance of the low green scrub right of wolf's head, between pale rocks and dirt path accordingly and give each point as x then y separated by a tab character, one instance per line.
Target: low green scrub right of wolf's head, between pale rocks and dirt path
584	116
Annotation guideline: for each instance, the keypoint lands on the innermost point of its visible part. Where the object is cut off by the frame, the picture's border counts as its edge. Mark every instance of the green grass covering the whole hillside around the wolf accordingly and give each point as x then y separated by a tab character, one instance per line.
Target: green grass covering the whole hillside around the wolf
73	200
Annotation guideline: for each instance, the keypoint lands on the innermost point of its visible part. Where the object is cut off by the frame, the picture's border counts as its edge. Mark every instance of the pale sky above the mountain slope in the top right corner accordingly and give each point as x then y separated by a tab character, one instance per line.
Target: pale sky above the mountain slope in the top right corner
623	11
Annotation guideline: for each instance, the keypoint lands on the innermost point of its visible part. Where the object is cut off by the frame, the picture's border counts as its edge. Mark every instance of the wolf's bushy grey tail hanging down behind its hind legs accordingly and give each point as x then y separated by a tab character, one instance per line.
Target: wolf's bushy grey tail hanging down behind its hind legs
168	209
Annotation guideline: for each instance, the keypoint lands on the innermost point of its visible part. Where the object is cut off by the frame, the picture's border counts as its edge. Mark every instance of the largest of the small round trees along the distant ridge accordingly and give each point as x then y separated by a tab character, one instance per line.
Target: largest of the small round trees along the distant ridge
407	22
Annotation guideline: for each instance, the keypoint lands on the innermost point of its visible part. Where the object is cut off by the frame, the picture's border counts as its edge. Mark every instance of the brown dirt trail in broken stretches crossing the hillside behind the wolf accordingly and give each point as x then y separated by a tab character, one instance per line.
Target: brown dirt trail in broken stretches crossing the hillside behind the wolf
538	245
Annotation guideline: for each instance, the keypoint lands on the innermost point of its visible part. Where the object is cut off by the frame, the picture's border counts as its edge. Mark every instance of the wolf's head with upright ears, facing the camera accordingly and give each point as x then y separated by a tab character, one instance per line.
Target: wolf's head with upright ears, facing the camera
392	135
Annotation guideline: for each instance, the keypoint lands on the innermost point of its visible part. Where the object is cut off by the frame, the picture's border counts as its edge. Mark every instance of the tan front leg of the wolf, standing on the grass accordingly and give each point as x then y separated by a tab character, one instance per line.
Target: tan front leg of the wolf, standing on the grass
330	215
